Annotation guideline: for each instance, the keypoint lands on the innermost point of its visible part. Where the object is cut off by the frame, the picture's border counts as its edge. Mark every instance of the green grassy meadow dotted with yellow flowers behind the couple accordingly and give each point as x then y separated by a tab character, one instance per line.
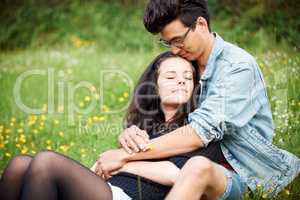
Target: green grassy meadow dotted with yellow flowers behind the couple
77	70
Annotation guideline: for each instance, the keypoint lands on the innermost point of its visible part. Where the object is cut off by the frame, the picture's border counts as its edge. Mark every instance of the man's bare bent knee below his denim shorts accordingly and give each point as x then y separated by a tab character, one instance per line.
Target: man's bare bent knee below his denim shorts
199	178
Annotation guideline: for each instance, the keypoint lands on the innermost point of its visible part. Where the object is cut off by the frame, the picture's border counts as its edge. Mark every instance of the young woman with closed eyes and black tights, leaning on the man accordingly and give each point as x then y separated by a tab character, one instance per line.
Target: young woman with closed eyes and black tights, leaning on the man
162	100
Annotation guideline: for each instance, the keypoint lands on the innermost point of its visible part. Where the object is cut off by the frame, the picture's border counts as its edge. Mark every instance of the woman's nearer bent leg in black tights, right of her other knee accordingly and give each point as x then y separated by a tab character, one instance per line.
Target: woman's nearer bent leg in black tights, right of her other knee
54	176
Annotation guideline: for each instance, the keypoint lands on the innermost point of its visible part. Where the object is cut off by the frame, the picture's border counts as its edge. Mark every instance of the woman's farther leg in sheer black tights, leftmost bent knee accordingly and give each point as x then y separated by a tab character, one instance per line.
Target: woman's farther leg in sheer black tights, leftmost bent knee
12	177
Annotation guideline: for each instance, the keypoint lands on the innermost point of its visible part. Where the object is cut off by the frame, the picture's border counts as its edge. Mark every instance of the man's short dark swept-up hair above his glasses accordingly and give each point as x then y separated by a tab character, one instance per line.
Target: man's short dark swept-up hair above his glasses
159	13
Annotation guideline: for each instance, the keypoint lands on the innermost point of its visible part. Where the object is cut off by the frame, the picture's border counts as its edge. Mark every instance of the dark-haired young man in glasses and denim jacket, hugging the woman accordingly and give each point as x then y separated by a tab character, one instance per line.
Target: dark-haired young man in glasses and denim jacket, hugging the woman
233	109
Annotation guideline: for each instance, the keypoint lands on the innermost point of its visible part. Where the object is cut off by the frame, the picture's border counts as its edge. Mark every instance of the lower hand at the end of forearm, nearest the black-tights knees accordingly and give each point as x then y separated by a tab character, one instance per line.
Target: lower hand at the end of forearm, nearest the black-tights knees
110	162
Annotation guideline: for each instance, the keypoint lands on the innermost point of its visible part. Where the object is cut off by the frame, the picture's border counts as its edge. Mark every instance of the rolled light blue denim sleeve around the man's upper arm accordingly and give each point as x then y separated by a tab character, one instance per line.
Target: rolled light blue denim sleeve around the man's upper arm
227	103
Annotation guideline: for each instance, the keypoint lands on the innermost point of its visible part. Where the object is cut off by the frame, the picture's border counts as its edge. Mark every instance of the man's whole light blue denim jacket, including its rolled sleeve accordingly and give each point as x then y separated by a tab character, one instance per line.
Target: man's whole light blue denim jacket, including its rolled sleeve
233	108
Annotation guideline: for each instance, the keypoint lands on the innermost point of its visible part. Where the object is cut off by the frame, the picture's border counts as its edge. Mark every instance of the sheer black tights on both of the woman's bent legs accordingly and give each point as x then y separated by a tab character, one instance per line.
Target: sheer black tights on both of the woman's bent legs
50	175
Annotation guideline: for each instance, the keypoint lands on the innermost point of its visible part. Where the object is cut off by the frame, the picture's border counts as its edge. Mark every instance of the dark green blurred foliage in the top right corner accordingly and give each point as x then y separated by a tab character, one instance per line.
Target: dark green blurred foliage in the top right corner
279	17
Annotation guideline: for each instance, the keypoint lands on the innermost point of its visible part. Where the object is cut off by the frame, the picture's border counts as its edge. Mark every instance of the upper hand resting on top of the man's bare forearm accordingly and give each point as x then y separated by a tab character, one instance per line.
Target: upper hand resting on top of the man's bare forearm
133	139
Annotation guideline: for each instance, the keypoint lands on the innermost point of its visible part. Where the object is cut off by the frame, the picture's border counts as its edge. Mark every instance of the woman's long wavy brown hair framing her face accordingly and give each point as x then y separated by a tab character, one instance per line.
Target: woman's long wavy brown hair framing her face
145	111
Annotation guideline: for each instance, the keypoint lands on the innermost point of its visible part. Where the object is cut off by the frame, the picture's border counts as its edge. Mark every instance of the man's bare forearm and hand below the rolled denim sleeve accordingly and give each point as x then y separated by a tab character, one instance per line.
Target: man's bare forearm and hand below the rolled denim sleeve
181	140
